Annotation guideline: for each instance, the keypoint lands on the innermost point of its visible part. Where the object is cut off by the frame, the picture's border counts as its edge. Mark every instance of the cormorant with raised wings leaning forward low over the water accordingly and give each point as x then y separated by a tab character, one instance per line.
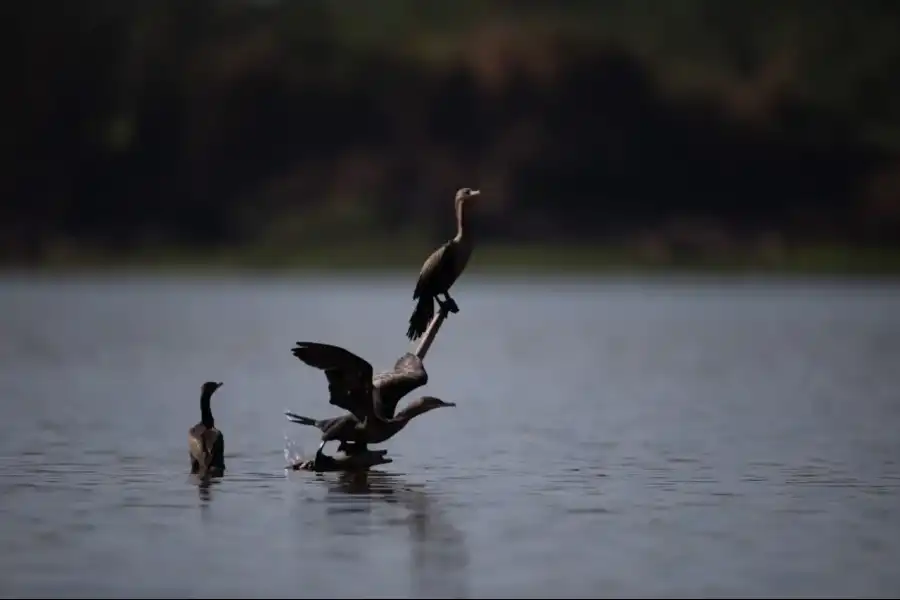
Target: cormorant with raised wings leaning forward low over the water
371	400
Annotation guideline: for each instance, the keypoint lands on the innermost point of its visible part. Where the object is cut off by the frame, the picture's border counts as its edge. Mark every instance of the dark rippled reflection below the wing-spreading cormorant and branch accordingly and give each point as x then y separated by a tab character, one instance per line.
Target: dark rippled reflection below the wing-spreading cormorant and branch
439	557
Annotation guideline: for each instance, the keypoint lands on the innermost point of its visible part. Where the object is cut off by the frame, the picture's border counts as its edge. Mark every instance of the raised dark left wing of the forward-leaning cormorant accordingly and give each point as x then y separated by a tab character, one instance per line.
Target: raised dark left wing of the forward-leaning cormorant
349	376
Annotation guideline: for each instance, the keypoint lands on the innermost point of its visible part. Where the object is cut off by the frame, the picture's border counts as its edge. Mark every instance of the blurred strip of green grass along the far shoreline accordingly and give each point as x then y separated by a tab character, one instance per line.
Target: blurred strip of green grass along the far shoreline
494	259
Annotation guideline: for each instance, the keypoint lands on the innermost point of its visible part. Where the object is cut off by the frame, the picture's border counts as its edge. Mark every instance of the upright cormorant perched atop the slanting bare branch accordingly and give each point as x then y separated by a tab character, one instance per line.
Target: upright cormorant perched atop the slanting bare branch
441	270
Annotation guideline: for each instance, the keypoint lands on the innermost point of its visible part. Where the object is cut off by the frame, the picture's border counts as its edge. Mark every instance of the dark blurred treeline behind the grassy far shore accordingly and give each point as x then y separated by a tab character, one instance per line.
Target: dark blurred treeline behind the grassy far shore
211	123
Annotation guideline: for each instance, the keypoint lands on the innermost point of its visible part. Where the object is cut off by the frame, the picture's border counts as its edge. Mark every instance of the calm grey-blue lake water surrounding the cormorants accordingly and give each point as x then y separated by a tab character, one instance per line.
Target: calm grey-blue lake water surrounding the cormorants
620	438
